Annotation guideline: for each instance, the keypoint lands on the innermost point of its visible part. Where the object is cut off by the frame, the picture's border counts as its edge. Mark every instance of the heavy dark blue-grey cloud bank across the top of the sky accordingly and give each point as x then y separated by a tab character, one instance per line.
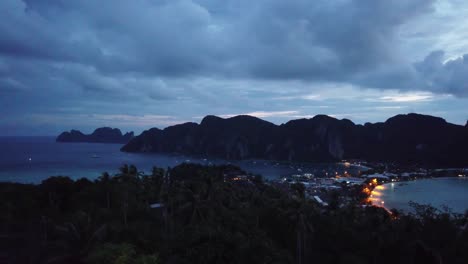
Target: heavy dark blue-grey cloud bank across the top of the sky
297	39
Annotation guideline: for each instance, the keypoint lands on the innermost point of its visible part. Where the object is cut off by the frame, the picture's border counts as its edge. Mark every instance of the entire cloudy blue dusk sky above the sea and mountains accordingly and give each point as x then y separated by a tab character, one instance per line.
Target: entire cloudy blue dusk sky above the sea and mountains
154	63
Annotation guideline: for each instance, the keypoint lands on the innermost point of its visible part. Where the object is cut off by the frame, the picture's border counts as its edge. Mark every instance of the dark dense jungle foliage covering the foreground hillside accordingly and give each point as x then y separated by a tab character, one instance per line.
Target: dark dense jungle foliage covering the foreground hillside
192	214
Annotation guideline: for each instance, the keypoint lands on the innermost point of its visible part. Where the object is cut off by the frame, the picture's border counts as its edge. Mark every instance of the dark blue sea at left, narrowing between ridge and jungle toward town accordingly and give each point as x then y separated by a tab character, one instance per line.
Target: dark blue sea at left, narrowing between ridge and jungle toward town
32	159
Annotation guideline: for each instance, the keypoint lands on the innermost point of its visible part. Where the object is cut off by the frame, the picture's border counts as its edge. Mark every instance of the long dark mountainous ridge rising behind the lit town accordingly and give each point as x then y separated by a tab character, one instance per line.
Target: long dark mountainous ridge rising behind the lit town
412	138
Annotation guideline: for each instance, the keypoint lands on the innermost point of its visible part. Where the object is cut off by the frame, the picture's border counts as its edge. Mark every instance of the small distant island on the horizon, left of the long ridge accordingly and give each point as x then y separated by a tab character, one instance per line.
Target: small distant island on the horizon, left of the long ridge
100	135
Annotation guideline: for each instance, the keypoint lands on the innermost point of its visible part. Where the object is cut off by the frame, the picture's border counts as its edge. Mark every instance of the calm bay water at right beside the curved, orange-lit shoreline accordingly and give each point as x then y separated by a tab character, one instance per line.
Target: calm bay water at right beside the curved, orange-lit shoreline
450	192
